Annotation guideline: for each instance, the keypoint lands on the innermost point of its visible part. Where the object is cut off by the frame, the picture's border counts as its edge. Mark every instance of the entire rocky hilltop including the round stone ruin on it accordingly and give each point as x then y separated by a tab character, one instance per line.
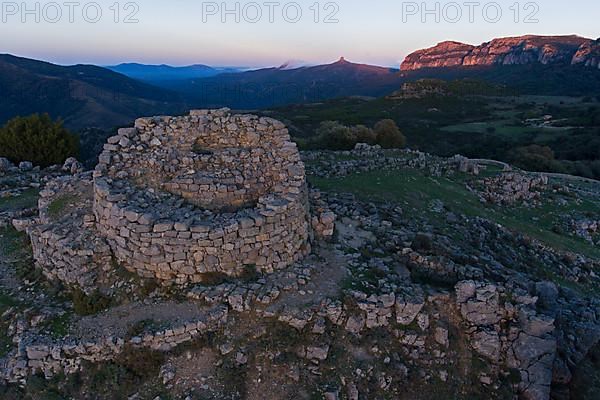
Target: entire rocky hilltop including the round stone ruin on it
426	277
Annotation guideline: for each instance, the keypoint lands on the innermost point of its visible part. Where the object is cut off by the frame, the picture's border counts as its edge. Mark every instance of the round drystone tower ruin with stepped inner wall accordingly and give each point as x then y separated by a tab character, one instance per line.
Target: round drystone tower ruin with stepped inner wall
179	198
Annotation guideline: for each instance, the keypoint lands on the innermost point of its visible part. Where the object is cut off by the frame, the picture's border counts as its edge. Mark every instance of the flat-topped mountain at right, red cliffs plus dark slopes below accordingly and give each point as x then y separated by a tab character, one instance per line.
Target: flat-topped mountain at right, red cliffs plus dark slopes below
544	65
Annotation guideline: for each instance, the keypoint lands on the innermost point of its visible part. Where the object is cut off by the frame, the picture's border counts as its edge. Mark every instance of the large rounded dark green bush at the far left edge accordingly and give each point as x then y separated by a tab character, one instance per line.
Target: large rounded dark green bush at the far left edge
38	139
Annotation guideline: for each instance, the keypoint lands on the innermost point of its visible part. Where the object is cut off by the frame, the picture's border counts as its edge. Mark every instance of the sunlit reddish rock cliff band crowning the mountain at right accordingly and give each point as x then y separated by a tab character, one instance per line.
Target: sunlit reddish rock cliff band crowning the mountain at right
521	50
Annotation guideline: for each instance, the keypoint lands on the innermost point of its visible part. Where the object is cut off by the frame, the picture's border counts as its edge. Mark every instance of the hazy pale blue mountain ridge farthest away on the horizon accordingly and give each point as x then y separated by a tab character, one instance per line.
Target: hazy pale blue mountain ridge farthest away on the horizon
153	73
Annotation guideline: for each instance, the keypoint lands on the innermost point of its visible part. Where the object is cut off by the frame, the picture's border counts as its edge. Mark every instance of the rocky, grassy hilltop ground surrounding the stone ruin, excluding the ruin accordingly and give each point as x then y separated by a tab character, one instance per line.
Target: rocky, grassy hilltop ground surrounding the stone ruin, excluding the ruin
443	280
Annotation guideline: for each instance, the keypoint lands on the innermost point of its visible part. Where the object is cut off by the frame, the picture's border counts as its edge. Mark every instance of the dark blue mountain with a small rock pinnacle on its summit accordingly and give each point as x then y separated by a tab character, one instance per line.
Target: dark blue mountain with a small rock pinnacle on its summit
285	85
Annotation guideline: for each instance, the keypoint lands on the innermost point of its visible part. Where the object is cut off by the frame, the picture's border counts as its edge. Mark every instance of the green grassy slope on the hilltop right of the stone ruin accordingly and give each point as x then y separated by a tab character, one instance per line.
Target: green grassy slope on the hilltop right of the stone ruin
416	191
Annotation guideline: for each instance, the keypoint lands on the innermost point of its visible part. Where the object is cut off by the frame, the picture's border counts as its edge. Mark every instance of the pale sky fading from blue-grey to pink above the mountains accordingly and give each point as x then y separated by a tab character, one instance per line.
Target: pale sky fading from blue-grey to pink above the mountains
173	32
